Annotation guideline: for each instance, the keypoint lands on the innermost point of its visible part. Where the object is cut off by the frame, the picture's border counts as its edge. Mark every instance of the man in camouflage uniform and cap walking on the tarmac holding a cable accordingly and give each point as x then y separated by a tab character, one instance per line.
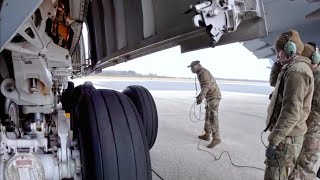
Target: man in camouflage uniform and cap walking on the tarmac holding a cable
211	92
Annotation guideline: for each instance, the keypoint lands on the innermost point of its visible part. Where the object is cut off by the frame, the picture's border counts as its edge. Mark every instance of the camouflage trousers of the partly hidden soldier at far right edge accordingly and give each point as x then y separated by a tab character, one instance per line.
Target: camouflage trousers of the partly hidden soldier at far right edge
307	160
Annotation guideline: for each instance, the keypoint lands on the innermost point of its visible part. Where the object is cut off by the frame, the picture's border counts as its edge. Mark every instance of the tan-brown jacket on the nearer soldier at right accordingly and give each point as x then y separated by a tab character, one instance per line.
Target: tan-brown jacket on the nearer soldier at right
290	105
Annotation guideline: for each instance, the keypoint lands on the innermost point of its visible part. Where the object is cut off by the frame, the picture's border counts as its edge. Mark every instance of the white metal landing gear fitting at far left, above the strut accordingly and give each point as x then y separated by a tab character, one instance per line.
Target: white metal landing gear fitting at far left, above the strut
27	67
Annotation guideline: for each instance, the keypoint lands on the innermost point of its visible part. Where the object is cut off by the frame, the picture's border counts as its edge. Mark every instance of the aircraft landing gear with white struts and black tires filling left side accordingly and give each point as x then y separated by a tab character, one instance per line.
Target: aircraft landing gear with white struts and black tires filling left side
50	129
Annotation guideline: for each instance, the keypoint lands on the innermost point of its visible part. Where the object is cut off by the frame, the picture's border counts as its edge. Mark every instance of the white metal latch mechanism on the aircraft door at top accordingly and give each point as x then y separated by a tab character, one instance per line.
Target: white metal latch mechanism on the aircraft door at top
220	17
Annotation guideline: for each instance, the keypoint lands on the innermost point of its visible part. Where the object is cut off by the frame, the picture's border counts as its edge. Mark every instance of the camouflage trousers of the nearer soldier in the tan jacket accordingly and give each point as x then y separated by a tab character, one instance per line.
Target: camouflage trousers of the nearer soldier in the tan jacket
288	151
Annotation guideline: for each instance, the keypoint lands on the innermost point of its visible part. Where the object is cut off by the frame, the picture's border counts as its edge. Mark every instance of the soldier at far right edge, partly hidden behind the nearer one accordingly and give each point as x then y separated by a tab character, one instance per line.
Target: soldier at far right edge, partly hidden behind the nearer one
309	154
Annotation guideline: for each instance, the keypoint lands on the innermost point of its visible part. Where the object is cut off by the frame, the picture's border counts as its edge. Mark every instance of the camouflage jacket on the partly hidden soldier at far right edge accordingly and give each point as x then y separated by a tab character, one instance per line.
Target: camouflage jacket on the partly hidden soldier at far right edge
313	121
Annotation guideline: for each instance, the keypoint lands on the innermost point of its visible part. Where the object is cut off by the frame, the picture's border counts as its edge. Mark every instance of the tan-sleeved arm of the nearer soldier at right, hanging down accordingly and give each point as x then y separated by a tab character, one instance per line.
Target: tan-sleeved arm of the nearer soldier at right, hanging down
295	88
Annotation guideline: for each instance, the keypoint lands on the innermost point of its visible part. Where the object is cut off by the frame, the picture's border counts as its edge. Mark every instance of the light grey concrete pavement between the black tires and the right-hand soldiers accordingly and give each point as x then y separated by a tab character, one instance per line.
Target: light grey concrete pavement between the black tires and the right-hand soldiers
175	155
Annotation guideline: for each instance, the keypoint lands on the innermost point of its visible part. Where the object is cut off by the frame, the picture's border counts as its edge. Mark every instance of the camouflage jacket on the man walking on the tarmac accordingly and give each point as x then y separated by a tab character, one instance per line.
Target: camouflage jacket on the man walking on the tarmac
209	86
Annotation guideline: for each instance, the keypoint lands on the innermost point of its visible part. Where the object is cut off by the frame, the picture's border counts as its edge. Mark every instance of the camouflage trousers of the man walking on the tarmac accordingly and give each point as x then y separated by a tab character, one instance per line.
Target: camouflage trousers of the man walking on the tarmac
211	119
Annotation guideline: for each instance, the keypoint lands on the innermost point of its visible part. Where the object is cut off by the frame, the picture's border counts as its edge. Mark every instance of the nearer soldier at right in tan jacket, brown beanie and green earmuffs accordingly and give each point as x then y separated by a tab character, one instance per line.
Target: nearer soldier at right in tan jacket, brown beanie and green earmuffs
289	107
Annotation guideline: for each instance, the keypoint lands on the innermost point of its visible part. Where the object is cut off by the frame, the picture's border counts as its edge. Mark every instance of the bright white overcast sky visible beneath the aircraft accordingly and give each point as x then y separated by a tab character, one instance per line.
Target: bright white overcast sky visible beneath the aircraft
228	61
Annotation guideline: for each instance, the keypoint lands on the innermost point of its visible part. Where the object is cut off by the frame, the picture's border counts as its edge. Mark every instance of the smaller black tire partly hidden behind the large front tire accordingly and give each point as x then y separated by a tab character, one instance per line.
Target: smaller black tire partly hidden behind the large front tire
147	109
